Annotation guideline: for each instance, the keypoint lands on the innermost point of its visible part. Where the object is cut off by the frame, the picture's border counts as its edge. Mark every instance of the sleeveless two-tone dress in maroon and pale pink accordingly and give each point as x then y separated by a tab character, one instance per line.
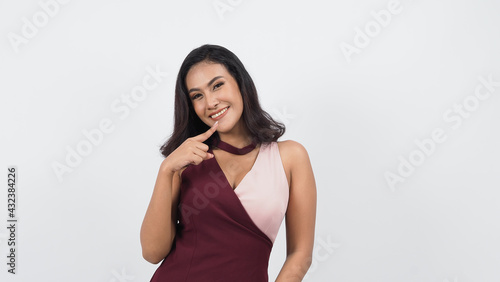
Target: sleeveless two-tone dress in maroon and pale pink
224	234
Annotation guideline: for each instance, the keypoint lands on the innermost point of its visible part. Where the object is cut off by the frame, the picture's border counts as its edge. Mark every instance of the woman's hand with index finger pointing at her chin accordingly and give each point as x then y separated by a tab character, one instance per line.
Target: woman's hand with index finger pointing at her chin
191	151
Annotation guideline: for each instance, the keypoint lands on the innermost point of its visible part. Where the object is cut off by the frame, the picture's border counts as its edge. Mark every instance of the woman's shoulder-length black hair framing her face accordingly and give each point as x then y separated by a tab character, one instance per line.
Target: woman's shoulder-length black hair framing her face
260	124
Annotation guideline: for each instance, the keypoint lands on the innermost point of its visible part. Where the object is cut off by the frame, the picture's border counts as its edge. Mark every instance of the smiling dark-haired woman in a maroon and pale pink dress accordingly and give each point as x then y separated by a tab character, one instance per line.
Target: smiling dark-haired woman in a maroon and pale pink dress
226	183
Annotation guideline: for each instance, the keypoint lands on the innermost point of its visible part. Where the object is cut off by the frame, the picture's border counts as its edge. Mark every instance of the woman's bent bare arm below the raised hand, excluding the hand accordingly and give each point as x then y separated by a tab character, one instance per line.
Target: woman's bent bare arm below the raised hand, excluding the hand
158	226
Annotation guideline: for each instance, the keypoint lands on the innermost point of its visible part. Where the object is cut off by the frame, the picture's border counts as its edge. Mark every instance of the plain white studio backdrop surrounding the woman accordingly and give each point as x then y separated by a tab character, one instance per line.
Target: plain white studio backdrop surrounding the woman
357	114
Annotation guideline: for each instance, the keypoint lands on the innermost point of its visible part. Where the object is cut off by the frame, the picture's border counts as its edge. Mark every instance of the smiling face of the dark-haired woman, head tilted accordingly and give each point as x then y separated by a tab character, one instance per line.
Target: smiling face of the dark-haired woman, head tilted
215	95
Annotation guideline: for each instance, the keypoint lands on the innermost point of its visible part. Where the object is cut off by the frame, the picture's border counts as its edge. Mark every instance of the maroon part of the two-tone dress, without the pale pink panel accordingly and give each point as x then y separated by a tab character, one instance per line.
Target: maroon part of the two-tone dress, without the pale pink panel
216	239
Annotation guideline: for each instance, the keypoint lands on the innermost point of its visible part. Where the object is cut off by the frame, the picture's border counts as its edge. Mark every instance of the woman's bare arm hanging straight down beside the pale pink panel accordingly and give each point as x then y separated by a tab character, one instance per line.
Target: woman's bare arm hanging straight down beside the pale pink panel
300	217
